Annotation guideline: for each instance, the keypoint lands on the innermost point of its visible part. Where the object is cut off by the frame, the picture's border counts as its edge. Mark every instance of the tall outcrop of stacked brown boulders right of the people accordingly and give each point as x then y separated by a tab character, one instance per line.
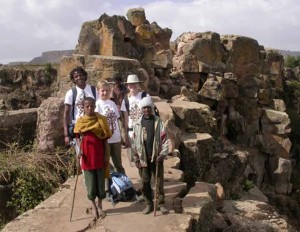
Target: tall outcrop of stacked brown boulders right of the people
237	79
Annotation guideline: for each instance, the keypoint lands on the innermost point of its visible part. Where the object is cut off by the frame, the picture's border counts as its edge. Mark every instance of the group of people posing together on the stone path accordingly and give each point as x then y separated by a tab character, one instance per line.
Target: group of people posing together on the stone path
98	119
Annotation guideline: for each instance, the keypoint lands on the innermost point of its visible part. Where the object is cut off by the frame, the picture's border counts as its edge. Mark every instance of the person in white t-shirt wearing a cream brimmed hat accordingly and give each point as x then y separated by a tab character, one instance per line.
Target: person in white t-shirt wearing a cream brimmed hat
131	110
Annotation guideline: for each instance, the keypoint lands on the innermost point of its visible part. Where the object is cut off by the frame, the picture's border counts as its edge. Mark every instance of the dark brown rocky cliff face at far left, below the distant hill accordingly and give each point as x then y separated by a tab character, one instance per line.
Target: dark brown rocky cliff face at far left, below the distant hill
27	87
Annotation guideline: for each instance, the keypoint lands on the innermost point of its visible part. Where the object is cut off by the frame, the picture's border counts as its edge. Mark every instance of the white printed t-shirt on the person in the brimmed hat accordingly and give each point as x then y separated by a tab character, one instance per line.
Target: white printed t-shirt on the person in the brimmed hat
134	110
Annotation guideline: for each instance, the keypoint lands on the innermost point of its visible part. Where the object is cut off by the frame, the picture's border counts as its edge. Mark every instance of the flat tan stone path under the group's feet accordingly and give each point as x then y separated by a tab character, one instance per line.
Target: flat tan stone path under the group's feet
54	213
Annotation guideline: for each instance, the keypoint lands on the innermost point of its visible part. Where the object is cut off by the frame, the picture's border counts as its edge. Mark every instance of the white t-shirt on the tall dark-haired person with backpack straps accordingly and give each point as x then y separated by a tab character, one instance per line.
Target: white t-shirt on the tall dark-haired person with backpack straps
81	93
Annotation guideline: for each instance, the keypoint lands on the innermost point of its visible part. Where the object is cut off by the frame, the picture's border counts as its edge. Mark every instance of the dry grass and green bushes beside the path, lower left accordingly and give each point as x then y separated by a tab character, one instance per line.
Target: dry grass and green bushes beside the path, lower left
34	176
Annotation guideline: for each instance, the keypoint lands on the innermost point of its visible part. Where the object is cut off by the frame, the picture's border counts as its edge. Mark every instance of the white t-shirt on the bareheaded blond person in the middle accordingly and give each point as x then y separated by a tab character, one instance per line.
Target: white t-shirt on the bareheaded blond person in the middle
109	109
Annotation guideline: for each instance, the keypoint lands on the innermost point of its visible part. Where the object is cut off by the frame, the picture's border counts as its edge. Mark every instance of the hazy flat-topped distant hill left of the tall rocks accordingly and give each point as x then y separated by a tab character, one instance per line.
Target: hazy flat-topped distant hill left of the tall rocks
53	57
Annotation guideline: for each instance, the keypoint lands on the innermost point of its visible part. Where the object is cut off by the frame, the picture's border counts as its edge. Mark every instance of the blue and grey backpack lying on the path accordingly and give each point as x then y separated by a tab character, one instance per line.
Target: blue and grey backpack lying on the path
120	188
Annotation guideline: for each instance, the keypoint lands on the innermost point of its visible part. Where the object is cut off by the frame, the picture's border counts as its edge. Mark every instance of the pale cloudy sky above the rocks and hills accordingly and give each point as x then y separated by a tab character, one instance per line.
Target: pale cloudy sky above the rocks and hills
30	27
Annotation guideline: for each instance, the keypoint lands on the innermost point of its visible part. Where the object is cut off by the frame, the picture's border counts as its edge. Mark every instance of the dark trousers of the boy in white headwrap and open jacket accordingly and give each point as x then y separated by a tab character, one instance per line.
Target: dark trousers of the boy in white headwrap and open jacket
147	174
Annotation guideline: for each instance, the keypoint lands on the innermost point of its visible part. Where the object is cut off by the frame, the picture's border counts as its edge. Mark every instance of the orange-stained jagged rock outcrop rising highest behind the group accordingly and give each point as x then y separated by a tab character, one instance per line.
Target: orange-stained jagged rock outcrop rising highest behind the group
134	38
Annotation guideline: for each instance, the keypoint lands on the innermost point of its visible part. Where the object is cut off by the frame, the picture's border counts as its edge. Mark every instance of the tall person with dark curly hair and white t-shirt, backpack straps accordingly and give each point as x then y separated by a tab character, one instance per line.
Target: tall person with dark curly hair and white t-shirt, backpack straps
73	107
